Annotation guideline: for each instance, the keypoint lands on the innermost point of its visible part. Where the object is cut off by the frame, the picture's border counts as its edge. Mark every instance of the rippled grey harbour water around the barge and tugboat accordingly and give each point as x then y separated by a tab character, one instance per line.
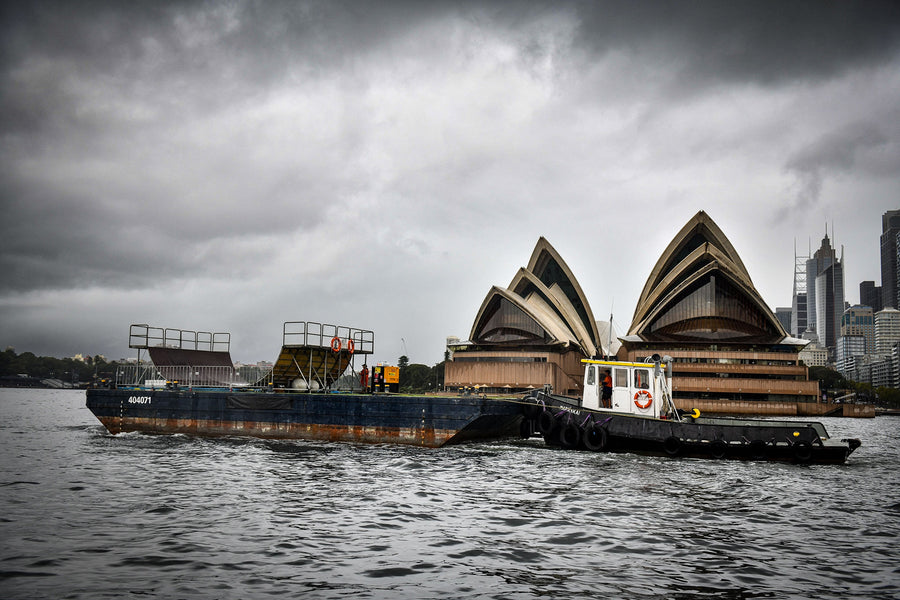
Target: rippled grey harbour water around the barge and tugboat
84	514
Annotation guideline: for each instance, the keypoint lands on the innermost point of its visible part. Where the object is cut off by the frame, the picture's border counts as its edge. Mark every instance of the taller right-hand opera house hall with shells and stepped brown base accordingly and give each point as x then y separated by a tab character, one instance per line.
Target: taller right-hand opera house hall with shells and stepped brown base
700	307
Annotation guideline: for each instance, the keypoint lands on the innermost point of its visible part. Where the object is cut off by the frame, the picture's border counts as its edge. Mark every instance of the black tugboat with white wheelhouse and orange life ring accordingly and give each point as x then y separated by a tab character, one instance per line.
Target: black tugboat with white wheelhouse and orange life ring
634	412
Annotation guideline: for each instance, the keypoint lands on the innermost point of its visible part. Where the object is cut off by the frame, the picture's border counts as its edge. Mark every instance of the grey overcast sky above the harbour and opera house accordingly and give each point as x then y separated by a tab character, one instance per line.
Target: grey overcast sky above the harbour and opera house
227	166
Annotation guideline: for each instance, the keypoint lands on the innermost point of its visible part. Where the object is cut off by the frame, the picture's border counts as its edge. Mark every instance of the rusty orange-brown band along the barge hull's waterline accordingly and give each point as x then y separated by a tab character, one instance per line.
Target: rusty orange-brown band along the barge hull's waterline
429	438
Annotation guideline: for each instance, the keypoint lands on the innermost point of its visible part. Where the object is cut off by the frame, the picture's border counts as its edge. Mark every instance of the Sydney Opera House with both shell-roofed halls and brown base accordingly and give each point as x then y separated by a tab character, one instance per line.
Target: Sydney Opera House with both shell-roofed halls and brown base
698	306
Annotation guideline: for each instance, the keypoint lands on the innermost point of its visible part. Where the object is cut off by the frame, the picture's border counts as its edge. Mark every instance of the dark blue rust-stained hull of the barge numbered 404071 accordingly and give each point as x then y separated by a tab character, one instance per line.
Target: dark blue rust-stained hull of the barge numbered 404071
429	421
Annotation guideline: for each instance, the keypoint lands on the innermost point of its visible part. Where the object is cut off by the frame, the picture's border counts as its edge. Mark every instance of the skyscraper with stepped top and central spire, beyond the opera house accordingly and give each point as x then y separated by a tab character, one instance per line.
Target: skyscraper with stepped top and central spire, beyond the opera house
825	293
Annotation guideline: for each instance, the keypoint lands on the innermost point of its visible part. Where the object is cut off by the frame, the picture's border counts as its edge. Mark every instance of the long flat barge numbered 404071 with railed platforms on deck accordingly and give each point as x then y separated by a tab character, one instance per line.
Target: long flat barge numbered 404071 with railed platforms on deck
190	386
